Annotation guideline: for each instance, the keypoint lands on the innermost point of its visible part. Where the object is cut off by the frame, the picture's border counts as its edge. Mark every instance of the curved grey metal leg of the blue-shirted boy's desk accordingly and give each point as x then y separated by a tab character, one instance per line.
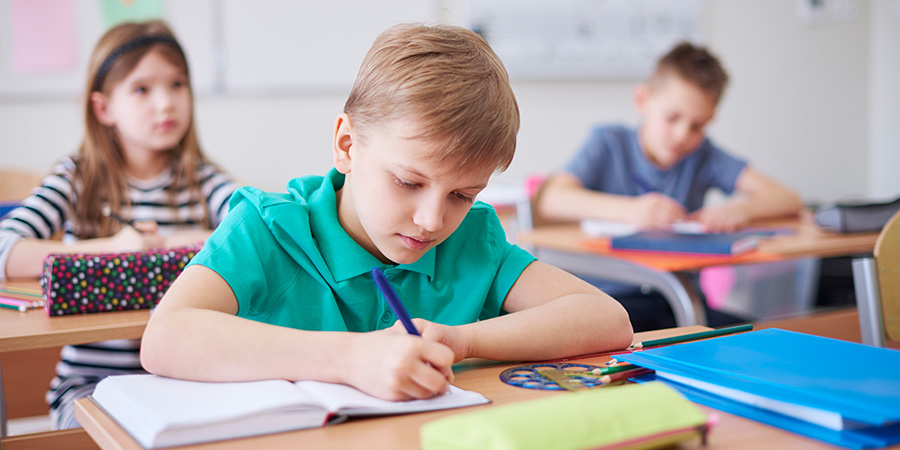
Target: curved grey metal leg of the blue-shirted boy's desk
676	289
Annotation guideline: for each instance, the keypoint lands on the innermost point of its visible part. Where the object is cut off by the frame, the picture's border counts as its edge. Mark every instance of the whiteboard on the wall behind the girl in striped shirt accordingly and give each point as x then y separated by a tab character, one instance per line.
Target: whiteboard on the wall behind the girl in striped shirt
238	46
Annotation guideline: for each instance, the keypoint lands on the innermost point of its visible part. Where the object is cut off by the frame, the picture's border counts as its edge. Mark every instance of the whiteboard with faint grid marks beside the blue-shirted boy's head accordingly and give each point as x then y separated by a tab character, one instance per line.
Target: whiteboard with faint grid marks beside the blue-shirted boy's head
584	39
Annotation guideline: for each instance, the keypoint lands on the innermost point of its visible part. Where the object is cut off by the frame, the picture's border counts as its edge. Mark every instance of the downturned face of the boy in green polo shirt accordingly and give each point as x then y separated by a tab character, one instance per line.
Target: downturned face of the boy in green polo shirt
397	202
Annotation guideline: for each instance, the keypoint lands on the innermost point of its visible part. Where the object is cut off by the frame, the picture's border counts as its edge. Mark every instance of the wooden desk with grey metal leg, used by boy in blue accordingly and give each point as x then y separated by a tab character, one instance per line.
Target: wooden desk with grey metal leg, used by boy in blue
569	248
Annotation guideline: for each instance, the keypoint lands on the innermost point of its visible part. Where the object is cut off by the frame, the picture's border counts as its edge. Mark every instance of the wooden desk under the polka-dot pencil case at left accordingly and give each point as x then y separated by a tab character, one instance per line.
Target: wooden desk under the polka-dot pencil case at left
34	330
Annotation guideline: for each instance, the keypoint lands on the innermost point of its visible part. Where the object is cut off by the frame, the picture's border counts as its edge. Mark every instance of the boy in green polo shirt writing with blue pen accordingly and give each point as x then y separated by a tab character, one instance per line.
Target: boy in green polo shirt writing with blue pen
282	288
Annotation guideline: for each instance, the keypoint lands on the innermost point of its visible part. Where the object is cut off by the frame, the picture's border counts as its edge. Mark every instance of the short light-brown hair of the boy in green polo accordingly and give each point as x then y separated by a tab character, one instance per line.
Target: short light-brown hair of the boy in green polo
448	80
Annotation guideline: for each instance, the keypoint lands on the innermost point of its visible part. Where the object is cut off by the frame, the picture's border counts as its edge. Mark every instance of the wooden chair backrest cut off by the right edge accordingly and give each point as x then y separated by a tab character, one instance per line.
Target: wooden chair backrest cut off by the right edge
887	261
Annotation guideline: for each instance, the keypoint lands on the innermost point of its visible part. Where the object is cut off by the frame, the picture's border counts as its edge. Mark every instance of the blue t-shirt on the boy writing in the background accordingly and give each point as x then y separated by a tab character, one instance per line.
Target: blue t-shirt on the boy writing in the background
613	161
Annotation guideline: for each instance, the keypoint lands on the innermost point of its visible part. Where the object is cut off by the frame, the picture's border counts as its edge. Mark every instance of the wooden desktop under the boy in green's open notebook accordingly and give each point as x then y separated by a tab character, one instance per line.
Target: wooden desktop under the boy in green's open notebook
402	432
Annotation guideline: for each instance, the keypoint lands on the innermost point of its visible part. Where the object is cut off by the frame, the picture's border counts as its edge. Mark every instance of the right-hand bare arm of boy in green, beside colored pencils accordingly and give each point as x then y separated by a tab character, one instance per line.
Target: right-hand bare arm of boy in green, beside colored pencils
553	315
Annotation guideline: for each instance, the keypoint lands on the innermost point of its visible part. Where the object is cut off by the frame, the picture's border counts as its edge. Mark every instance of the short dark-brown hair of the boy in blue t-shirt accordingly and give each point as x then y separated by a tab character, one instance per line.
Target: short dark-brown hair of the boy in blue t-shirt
695	65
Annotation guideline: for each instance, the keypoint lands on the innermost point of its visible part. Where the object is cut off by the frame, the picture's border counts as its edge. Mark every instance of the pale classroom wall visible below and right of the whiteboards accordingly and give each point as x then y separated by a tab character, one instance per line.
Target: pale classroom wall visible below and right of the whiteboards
811	105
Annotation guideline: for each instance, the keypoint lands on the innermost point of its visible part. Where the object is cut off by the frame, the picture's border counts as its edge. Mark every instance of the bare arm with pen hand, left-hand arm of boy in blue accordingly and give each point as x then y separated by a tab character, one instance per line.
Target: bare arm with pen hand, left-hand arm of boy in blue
563	198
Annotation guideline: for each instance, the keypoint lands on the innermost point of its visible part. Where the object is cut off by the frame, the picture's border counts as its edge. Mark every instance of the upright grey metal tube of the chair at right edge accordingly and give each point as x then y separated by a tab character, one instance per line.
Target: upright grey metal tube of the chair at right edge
868	301
